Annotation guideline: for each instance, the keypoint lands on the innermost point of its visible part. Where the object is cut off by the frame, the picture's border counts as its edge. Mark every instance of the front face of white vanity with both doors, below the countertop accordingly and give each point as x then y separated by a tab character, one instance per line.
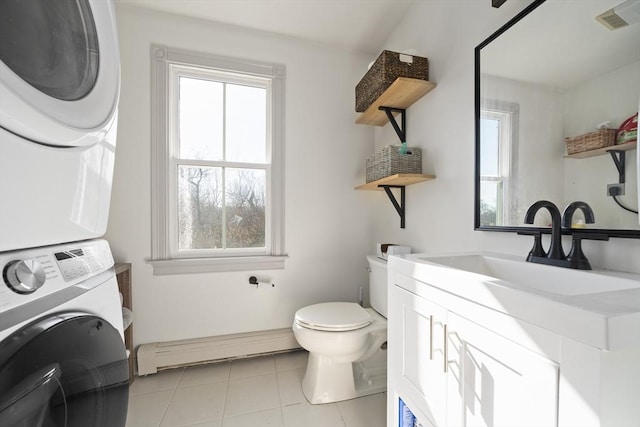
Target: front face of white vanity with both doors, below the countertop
451	371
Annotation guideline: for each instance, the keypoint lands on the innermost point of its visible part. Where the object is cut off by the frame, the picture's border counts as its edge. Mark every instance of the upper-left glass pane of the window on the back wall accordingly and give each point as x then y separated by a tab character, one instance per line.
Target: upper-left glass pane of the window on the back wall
201	130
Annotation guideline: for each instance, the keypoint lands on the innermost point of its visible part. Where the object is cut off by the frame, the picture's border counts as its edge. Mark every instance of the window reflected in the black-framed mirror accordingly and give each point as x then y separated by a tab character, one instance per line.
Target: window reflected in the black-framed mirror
498	133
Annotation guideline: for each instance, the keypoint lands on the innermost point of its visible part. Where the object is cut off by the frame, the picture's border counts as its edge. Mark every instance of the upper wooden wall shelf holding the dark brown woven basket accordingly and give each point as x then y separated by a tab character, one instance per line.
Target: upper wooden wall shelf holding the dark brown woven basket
402	93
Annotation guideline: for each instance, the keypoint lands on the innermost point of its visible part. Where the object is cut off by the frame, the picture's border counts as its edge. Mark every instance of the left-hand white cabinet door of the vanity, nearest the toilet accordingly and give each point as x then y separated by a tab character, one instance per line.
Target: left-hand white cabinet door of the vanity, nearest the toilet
420	326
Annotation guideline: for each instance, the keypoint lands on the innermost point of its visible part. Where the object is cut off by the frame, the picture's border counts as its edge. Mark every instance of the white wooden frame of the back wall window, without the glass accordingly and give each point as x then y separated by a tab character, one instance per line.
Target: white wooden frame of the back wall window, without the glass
167	64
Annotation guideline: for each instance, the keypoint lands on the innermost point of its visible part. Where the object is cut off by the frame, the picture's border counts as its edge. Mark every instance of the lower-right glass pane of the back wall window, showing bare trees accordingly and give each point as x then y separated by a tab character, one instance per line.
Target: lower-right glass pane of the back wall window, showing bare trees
245	200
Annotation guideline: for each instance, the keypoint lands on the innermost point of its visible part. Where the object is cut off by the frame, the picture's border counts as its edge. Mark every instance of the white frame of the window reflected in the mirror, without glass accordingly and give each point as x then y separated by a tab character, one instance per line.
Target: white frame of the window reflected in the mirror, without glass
507	115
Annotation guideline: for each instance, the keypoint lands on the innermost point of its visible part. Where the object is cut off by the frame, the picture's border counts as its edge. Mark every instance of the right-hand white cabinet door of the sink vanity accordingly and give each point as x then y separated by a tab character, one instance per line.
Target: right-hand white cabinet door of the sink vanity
493	381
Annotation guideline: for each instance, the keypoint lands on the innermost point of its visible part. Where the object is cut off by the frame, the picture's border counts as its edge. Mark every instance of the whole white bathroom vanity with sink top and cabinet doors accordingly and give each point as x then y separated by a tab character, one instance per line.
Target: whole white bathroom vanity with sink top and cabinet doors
491	358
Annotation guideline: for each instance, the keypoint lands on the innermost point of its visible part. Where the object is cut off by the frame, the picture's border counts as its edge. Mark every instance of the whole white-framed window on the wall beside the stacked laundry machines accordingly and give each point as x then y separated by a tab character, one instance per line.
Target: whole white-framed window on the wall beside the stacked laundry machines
217	139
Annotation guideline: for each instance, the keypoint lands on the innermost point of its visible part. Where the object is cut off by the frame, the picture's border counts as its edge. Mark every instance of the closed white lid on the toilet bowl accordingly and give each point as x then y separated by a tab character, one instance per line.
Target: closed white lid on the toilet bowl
333	316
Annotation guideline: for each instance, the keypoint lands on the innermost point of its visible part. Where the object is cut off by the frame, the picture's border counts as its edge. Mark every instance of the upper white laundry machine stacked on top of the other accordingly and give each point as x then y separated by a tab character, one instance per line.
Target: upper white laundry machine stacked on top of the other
59	91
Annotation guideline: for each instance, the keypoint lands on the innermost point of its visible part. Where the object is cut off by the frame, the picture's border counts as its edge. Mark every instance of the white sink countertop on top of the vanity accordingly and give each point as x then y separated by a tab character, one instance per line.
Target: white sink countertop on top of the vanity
607	320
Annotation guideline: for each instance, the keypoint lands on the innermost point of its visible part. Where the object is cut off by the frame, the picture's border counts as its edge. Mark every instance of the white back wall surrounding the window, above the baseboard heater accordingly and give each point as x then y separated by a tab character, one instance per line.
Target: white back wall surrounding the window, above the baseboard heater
328	224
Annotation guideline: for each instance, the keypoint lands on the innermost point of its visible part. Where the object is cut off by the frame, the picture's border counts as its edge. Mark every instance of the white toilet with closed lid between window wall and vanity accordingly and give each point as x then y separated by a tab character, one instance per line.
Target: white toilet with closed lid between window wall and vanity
346	343
